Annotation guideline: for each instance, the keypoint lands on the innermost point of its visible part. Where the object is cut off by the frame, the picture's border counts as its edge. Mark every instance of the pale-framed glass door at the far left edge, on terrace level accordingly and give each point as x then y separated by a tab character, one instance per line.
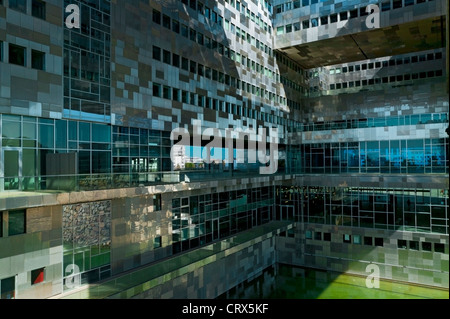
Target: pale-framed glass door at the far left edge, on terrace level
12	168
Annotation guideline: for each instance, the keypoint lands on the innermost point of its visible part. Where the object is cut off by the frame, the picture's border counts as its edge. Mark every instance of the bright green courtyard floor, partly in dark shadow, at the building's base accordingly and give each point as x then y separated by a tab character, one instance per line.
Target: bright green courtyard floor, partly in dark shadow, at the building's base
289	282
